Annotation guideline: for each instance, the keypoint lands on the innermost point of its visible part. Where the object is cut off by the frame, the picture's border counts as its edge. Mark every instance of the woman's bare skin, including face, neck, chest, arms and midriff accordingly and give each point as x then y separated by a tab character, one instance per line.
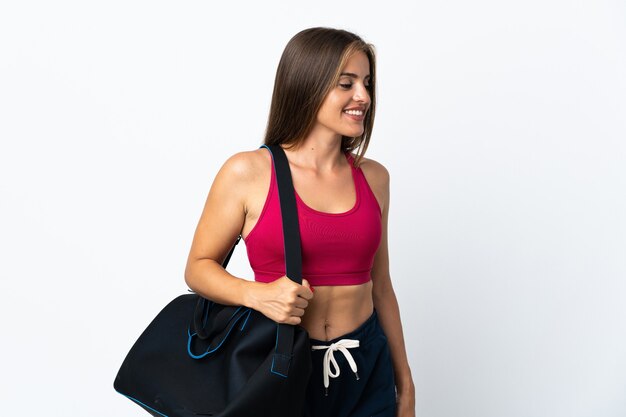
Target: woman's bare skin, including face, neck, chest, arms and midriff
235	202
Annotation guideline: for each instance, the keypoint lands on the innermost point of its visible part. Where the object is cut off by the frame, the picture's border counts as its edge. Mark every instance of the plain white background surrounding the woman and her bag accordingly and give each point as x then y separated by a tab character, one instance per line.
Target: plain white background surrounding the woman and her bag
502	126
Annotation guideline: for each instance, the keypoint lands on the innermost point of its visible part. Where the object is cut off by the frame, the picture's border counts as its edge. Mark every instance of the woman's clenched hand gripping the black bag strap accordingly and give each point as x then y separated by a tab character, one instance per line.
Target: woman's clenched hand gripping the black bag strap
282	300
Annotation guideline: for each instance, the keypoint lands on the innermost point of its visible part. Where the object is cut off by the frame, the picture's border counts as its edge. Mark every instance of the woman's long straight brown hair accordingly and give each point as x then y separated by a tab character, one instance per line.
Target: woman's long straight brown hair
308	70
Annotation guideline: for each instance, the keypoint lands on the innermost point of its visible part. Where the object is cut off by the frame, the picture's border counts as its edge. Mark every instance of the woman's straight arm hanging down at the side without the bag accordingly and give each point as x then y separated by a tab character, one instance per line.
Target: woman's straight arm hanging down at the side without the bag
386	304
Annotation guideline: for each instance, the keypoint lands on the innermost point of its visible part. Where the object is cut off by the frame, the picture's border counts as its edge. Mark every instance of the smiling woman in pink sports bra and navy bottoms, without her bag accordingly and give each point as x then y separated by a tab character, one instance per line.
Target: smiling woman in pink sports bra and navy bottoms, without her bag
322	109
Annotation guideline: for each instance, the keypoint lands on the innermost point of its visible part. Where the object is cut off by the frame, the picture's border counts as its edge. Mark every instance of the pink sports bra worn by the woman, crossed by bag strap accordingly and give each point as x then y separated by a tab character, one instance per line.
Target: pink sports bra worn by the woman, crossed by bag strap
337	248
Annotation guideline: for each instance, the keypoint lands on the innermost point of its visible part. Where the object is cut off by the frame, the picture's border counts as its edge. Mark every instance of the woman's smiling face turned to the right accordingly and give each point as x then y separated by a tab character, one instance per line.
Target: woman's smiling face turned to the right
351	92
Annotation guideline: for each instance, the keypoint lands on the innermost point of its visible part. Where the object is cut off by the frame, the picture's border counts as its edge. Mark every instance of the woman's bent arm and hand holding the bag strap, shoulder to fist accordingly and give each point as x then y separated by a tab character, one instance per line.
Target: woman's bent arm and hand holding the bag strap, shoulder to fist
220	223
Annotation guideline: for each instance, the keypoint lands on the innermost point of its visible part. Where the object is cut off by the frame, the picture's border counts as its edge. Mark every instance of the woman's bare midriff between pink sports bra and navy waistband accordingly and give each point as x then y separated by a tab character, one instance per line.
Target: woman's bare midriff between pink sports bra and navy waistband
337	310
